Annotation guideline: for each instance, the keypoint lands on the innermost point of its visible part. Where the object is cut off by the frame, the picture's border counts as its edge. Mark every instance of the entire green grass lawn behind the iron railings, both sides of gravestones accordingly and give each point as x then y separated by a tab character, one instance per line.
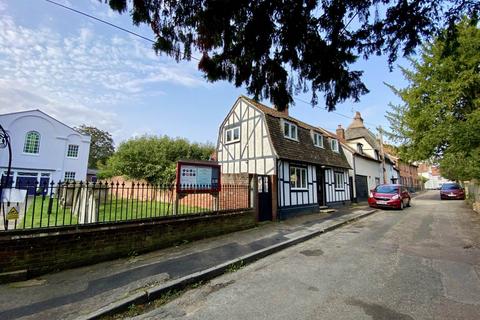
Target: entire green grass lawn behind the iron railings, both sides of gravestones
112	210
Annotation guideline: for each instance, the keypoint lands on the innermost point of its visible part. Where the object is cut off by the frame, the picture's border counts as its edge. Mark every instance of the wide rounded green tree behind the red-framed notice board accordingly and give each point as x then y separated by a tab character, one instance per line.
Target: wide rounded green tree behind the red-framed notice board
153	158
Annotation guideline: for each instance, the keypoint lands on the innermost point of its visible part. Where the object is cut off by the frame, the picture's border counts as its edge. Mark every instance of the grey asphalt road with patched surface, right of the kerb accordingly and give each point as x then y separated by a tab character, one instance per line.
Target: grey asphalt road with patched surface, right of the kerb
420	263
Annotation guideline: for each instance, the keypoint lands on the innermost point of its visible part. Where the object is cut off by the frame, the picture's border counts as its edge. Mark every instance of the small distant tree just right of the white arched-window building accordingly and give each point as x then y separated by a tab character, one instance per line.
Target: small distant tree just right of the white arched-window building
101	145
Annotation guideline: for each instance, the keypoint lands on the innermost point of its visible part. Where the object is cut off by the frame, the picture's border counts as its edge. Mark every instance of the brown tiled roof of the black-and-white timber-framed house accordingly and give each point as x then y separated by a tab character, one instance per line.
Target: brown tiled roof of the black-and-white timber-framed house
302	150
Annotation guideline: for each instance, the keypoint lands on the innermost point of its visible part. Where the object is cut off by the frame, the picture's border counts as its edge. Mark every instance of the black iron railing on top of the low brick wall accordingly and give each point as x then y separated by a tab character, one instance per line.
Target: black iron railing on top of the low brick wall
74	203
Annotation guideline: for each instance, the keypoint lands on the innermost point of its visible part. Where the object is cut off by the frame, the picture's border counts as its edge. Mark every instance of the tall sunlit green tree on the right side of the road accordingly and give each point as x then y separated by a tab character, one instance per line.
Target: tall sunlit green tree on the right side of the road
439	119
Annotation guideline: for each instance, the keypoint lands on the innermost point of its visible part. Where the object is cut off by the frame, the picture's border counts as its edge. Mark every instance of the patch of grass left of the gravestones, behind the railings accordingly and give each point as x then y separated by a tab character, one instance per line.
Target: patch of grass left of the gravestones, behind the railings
37	212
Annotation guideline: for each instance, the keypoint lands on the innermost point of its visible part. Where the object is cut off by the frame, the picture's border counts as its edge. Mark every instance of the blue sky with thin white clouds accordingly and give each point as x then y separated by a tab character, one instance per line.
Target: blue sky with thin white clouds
83	72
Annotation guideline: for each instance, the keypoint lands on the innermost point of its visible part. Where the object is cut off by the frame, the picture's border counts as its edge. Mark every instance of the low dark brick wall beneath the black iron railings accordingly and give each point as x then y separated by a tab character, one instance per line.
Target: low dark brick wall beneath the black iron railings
42	251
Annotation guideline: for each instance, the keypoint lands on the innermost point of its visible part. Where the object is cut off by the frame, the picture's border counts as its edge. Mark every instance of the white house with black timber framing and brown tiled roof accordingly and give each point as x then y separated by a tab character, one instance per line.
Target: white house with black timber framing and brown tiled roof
300	168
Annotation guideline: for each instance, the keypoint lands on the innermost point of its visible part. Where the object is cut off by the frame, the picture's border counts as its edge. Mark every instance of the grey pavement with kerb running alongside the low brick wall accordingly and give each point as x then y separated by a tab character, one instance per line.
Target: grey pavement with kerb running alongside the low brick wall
93	291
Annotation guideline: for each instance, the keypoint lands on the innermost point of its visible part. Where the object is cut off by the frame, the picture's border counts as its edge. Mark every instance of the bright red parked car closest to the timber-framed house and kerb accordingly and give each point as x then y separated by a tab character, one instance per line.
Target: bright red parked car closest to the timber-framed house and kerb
389	196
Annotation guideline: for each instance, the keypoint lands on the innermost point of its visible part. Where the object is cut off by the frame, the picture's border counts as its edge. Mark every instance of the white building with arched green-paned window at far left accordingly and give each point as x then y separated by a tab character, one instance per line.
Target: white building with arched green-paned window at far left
43	149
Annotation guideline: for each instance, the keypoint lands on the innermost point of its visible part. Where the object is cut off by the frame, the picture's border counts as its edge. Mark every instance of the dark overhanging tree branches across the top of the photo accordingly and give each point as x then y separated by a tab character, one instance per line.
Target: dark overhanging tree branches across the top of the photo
276	48
